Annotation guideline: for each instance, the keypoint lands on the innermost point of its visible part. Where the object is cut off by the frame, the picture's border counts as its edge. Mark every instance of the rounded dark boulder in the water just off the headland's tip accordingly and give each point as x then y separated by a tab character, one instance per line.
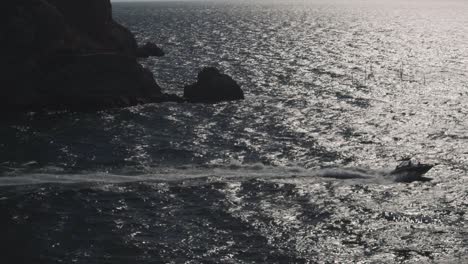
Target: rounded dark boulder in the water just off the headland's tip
213	86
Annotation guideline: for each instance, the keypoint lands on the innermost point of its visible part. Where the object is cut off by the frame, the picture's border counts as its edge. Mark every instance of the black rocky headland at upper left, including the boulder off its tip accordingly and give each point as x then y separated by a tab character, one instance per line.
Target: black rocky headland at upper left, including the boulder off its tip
72	55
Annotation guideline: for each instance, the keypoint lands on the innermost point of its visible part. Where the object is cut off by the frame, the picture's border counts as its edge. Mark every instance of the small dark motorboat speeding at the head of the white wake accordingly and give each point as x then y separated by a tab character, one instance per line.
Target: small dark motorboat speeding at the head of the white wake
409	171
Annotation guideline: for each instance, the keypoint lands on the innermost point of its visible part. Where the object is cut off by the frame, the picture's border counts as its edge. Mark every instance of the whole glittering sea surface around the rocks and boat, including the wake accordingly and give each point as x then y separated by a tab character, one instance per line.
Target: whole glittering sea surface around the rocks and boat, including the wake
339	84
